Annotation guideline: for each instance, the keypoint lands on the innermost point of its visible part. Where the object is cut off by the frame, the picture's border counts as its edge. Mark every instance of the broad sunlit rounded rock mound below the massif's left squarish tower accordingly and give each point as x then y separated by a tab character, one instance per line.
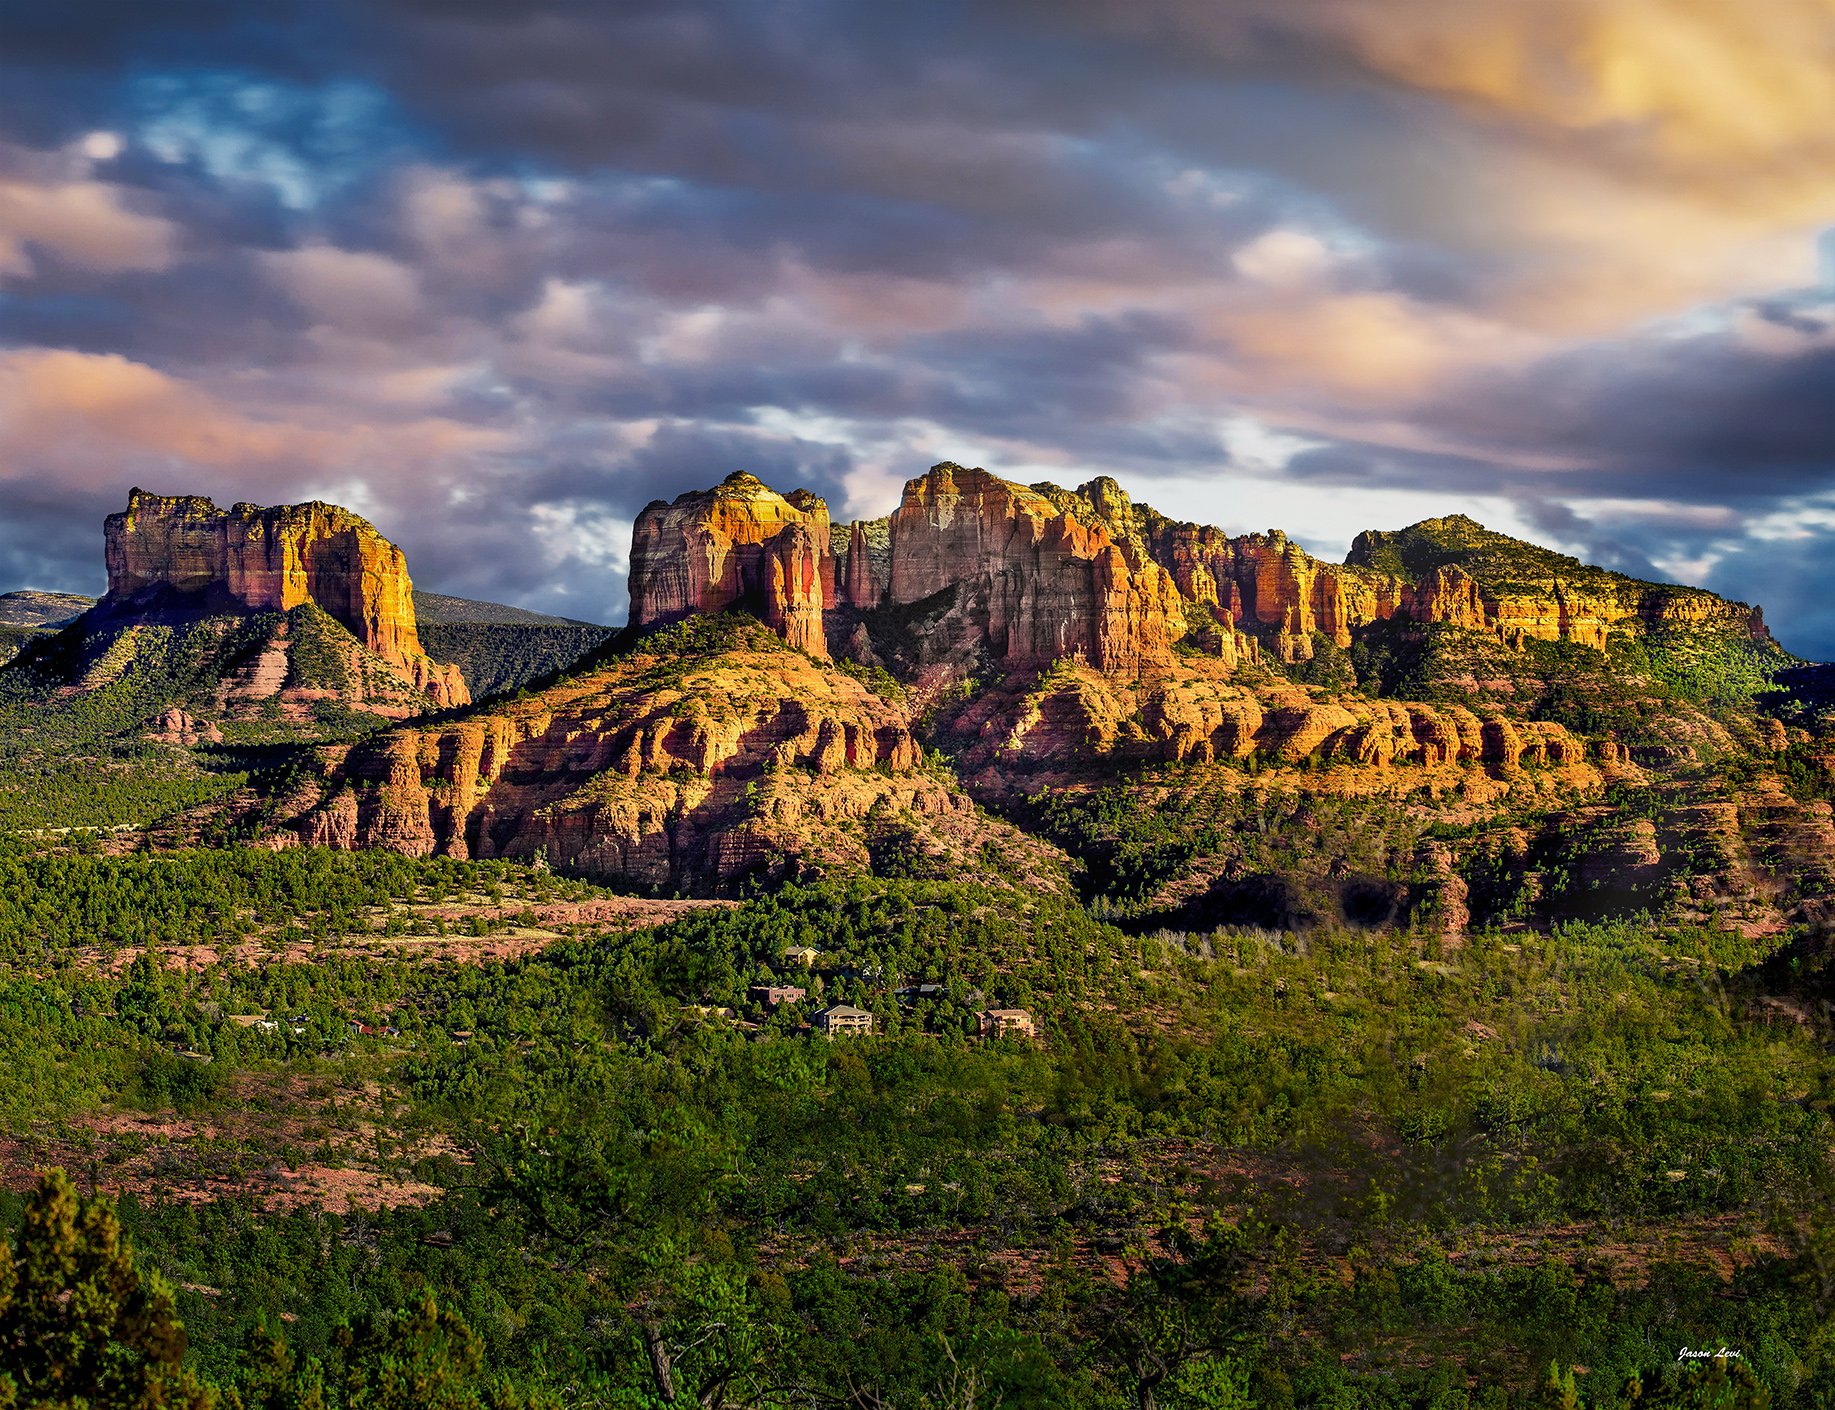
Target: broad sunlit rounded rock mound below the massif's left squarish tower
658	770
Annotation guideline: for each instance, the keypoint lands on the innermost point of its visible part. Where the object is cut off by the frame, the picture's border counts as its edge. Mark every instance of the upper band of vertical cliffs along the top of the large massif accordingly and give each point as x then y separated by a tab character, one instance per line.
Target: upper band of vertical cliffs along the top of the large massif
1040	574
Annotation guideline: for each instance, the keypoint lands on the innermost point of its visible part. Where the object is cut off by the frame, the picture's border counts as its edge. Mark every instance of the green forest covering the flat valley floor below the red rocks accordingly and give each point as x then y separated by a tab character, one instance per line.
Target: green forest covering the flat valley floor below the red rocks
1243	1167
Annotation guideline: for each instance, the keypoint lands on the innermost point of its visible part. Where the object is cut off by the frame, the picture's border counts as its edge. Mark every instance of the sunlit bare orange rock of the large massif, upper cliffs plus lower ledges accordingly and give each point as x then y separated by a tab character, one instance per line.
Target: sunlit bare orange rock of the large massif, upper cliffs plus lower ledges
693	765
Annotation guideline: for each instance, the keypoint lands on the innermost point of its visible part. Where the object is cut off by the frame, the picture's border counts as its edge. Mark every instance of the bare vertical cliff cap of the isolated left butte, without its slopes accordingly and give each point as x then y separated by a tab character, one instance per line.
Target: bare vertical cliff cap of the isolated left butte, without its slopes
183	552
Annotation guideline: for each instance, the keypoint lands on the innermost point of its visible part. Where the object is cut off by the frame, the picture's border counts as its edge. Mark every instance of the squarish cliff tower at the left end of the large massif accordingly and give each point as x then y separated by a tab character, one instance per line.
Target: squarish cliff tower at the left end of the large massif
744	544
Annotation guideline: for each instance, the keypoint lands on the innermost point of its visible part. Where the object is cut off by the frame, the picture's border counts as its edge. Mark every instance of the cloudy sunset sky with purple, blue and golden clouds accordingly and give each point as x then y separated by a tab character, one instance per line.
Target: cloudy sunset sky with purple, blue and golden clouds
496	276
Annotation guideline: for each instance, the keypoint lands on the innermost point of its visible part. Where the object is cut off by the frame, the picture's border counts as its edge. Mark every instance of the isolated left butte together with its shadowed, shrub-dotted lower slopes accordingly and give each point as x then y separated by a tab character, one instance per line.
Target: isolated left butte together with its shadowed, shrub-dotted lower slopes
245	625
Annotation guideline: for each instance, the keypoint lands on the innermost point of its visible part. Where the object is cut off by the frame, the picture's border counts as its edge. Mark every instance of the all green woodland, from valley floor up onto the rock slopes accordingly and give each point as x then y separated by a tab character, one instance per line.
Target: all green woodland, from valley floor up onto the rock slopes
1484	1099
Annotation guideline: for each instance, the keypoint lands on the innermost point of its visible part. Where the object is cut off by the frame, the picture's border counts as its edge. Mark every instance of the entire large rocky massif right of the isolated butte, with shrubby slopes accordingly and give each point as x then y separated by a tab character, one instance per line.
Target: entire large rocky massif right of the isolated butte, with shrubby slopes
913	691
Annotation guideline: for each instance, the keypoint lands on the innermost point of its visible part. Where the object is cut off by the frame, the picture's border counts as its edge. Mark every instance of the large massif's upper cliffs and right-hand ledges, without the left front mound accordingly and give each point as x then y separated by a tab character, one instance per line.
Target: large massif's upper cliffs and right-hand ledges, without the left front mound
1060	642
